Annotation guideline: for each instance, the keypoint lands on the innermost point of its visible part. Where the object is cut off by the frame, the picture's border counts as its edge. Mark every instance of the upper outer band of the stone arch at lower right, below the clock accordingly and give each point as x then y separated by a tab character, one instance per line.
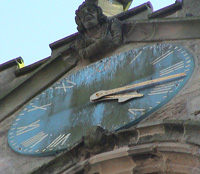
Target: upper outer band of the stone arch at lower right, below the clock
171	130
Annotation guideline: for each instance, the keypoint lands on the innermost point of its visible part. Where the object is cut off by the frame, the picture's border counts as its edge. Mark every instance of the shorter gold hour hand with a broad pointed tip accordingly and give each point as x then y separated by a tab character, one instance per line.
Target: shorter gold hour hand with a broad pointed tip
120	97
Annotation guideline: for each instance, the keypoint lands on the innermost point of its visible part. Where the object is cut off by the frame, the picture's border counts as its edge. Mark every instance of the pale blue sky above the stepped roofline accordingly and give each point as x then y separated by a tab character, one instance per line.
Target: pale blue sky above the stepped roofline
29	26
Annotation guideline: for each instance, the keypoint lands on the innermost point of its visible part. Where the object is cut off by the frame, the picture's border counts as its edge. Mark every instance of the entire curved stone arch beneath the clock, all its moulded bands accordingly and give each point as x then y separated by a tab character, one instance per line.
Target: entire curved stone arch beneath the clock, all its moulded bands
170	142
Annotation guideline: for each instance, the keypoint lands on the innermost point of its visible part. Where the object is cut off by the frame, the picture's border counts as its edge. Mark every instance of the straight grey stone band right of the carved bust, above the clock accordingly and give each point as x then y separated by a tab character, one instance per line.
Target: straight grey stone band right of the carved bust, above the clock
162	29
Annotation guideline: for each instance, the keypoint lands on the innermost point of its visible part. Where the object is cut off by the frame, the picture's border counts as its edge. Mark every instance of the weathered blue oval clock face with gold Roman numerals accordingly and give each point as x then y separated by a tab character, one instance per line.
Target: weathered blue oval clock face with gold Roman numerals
58	117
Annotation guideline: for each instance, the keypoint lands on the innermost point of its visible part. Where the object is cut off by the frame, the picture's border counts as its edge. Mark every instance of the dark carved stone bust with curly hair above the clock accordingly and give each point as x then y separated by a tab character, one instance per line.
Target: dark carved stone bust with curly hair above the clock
98	34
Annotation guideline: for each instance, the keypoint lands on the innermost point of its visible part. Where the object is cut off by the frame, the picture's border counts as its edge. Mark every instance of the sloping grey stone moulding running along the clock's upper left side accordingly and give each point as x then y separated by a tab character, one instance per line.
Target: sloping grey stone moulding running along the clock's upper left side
27	89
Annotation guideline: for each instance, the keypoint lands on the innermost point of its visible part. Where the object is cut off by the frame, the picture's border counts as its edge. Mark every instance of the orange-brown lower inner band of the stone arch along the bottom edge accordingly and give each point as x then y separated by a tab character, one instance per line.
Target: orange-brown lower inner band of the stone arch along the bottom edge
164	157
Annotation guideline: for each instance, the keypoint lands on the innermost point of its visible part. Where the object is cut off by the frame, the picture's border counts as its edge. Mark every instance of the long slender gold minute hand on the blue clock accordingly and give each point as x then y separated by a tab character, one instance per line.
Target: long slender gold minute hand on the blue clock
100	94
